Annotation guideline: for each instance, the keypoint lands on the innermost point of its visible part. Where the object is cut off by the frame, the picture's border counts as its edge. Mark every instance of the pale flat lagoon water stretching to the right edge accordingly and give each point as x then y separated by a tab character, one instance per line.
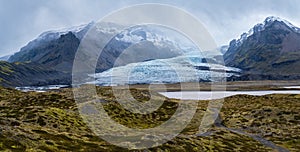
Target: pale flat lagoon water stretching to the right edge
211	95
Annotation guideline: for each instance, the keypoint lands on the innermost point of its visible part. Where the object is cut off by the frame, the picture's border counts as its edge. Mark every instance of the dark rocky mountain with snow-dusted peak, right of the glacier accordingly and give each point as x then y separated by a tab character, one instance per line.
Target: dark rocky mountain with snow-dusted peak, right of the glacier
270	50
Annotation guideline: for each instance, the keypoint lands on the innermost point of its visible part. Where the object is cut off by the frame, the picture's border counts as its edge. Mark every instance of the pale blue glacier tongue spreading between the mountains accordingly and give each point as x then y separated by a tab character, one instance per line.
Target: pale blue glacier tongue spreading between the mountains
173	70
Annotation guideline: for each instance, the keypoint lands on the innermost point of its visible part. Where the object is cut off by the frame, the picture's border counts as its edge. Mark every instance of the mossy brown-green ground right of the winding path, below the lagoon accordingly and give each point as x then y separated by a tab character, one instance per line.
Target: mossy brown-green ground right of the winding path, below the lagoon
274	117
